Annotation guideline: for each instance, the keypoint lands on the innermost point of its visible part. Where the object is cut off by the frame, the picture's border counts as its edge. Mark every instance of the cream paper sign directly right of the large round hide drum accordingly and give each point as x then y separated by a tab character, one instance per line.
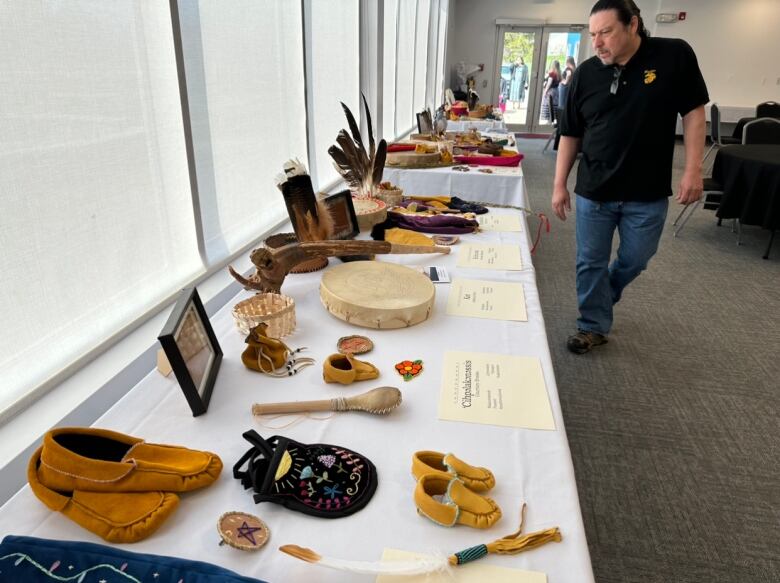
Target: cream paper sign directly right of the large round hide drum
495	300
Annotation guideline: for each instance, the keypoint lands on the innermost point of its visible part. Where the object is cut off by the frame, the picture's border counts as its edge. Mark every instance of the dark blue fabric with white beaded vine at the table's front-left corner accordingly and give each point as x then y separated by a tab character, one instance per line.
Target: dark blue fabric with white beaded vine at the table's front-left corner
37	560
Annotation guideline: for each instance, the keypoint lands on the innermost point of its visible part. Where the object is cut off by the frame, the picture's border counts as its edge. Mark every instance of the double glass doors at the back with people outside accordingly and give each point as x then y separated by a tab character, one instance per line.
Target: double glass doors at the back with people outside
526	87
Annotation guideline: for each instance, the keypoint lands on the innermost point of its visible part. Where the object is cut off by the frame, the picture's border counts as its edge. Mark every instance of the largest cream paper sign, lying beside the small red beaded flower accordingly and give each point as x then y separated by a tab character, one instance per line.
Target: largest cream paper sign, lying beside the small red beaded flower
495	389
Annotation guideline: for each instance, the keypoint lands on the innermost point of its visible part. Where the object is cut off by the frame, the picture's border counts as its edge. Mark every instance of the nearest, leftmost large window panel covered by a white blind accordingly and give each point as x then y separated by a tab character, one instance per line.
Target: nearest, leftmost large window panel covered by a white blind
97	219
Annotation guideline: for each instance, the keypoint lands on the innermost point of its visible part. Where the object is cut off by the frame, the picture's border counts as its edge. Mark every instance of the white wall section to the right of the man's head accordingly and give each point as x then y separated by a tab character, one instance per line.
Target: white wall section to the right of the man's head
737	44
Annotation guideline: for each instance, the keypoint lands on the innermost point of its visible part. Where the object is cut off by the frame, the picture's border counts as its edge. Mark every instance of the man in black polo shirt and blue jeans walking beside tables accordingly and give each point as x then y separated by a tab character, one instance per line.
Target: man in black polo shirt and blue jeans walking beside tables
622	113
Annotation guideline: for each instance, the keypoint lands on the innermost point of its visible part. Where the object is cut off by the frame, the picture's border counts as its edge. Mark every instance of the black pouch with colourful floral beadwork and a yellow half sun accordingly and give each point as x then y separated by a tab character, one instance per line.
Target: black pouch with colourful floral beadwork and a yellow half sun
319	479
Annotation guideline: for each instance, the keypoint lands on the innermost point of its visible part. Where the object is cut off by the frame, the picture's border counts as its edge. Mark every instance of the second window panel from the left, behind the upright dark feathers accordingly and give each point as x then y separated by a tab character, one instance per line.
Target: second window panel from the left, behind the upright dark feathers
244	66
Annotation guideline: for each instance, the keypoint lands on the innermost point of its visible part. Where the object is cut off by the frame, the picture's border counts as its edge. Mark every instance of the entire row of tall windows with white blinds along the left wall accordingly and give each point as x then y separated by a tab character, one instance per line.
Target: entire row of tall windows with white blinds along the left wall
140	148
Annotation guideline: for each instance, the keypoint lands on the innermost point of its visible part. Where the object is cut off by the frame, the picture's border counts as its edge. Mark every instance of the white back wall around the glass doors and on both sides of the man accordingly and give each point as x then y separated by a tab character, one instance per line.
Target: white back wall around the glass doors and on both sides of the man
737	41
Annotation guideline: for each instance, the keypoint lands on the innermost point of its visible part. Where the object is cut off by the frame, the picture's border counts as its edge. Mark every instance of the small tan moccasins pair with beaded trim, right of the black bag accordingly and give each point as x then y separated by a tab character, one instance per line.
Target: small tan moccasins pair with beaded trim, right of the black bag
447	491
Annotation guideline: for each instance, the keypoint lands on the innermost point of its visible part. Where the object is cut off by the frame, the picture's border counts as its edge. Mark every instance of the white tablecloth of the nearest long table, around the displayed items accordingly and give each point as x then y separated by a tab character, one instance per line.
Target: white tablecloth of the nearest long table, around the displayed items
530	466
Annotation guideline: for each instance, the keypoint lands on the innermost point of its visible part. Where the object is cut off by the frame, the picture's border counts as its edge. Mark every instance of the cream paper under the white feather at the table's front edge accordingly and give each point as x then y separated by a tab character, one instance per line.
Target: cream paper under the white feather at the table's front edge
476	571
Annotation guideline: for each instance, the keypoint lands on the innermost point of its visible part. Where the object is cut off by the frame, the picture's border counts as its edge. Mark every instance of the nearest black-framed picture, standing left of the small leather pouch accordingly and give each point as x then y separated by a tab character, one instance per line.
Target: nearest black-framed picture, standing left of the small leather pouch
192	350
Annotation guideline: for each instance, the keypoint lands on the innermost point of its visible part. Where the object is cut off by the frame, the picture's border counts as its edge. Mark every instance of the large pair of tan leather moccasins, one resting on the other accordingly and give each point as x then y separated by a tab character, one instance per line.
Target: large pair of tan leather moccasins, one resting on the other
117	486
